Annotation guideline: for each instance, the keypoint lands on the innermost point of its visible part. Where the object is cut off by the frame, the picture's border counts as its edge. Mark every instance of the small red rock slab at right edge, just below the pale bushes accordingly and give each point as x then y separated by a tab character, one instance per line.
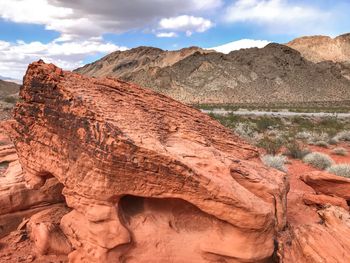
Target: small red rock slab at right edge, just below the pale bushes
328	184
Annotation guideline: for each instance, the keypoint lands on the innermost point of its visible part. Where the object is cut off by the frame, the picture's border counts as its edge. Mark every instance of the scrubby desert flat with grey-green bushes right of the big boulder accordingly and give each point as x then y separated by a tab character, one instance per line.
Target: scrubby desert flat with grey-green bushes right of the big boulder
314	141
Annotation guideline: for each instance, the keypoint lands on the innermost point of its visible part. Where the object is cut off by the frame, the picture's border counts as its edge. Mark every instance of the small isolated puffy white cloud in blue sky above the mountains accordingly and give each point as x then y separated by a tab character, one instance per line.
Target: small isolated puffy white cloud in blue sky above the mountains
185	23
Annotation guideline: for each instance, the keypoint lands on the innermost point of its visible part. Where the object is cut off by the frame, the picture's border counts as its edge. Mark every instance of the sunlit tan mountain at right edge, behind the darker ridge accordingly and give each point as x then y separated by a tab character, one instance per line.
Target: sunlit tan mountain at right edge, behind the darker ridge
323	48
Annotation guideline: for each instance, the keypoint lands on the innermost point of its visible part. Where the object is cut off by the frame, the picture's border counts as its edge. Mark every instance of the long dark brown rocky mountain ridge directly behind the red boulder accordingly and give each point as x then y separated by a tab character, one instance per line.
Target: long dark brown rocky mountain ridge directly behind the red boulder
273	74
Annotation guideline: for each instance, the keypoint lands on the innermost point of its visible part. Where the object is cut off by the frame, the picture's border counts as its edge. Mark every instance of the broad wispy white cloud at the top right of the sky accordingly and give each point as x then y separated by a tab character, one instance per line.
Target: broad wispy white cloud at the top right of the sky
280	16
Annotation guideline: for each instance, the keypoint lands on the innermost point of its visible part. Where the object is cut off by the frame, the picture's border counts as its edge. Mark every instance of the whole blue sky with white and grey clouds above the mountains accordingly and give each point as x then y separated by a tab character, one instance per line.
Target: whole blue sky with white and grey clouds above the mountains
71	33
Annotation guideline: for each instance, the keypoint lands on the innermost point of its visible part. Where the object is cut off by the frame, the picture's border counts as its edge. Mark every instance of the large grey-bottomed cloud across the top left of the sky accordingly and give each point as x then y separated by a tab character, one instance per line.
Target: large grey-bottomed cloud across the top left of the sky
75	19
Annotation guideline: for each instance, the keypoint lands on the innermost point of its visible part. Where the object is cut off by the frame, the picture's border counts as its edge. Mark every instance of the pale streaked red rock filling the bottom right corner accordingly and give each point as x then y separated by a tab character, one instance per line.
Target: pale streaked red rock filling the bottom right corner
328	241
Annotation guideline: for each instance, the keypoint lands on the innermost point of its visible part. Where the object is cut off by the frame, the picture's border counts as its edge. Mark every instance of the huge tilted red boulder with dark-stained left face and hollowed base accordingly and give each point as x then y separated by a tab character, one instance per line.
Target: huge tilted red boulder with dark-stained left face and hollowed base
148	178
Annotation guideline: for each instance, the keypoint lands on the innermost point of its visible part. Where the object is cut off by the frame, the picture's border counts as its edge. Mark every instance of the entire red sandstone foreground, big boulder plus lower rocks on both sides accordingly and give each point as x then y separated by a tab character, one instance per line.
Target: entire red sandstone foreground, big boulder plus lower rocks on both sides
148	179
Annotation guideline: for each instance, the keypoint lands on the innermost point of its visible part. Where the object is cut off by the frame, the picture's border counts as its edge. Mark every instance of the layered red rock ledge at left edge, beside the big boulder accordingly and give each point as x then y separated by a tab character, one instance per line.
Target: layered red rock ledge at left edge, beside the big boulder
17	201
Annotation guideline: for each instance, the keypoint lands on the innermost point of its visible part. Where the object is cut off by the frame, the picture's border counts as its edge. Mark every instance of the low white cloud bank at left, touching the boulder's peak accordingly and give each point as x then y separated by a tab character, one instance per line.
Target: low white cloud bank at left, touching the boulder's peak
15	57
